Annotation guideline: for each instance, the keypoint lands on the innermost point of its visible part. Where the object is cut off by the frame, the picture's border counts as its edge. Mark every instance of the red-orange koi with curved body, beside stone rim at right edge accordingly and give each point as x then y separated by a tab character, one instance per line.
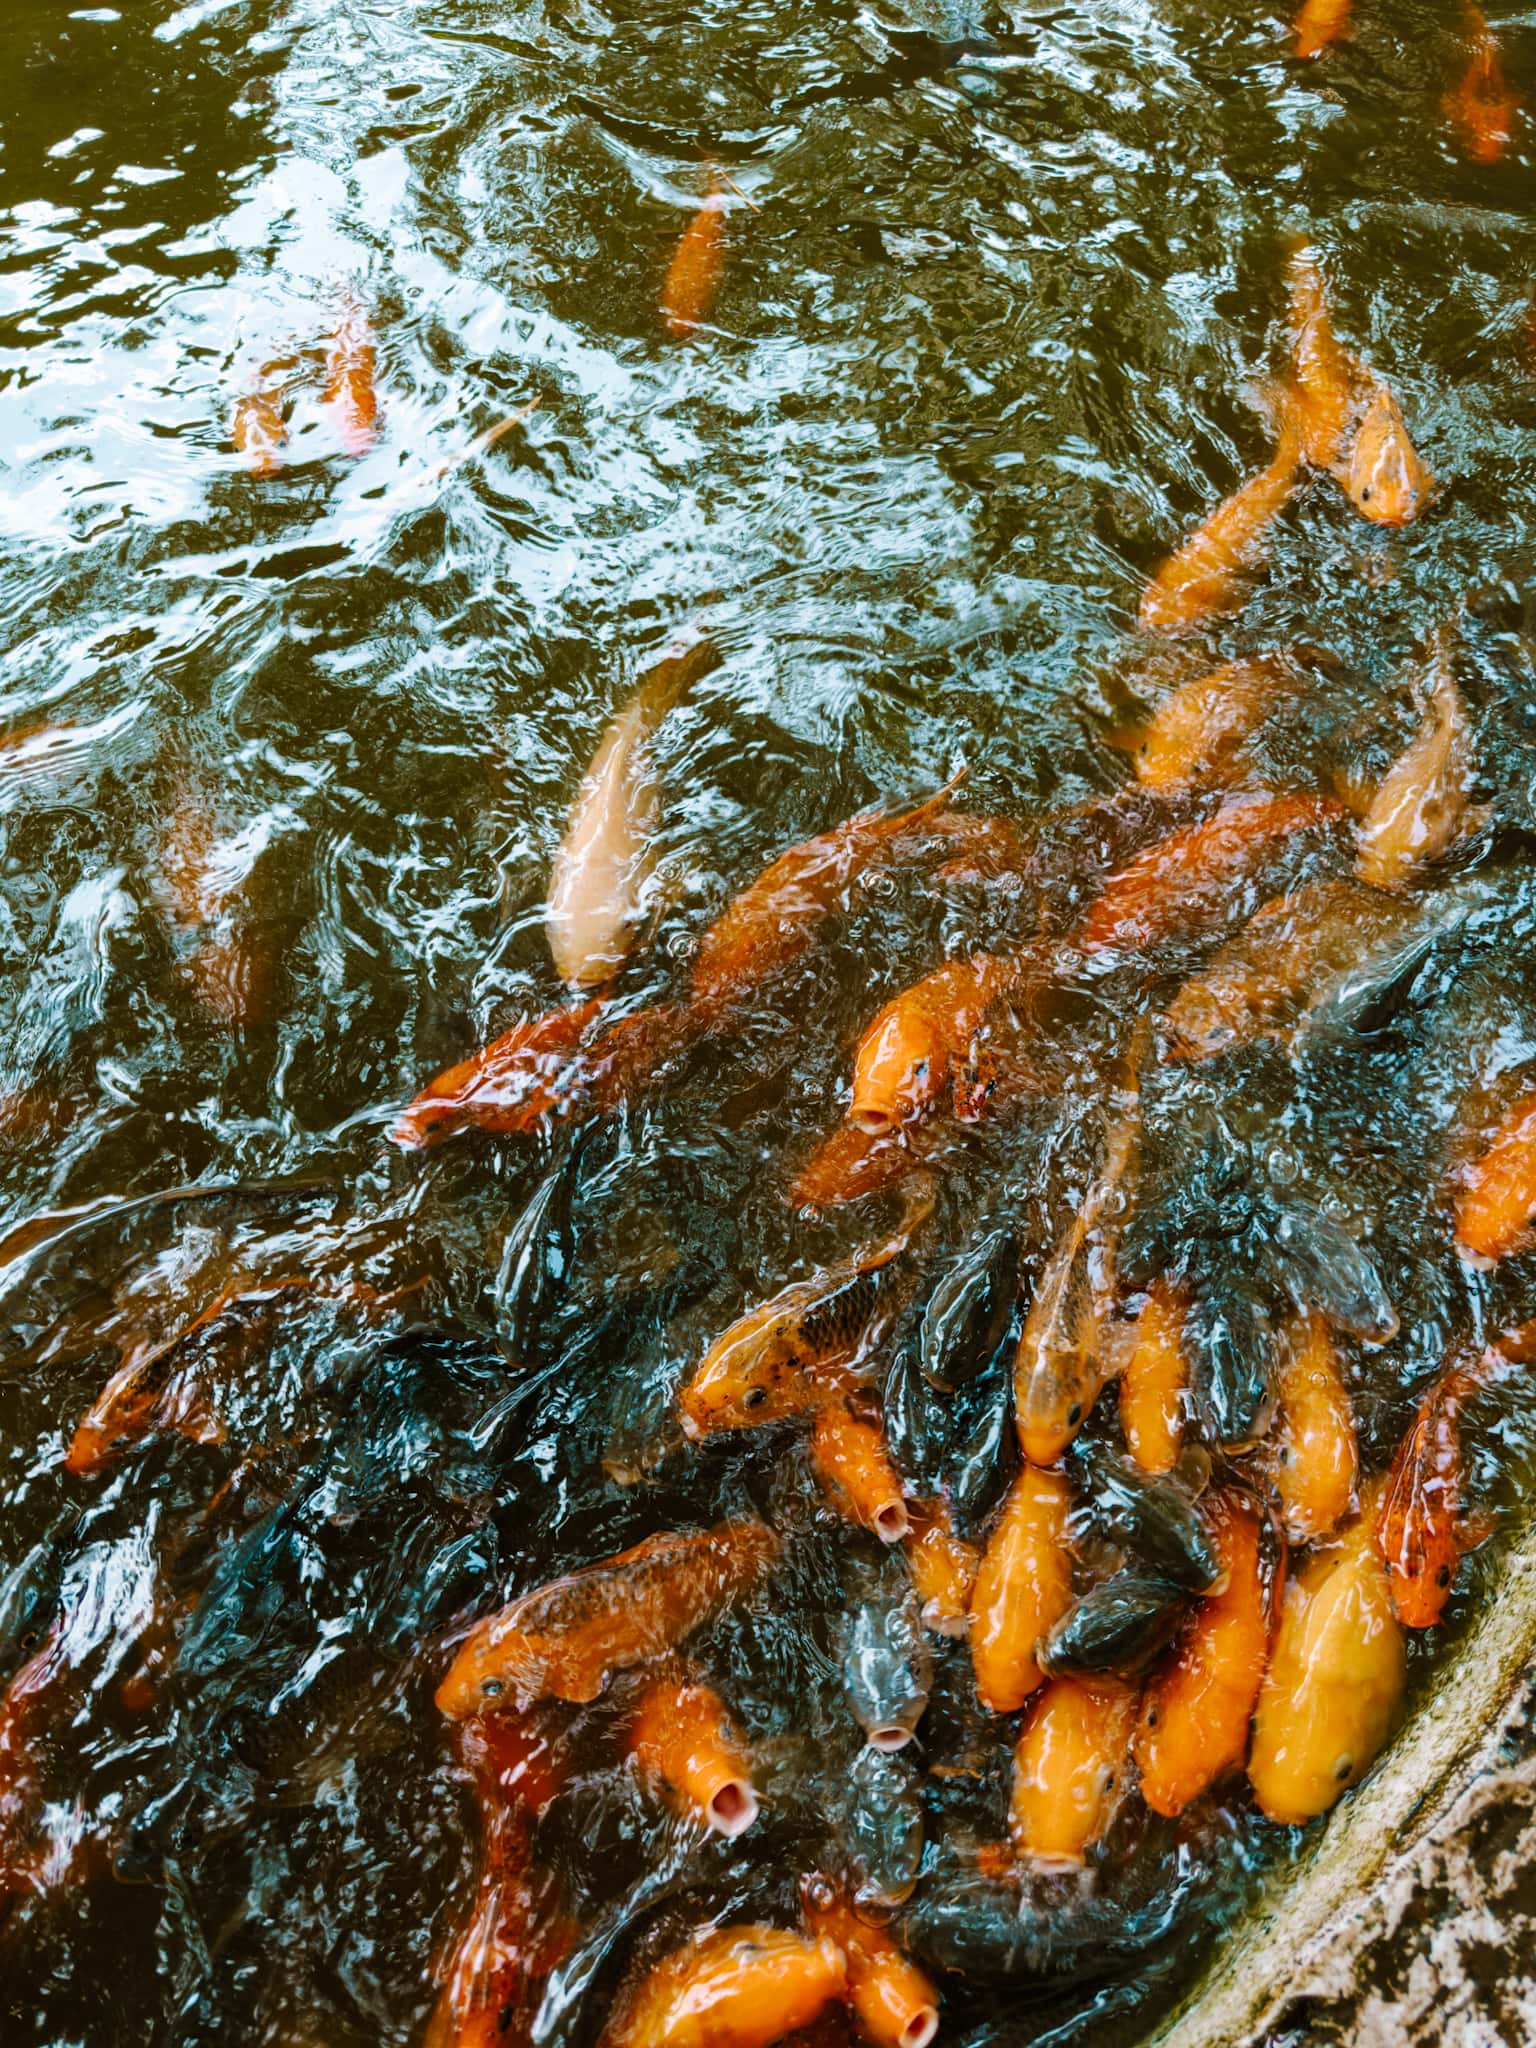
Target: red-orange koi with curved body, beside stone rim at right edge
1422	1527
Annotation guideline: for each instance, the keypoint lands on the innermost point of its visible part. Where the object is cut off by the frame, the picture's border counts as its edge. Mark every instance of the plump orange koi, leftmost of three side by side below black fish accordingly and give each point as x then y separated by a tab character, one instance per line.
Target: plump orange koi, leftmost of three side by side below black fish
1072	1768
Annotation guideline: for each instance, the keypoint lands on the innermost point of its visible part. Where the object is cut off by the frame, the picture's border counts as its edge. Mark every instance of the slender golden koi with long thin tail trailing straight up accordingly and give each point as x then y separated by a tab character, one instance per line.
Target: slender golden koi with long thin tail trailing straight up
1064	1355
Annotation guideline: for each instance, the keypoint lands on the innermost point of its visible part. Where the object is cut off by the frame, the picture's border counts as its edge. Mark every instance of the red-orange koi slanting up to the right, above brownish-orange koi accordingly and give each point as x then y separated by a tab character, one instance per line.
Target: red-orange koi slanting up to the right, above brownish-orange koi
1189	880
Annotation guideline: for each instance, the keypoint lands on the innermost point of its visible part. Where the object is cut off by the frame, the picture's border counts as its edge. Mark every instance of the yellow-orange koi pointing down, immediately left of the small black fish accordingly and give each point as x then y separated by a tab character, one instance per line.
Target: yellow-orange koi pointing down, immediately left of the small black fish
1023	1588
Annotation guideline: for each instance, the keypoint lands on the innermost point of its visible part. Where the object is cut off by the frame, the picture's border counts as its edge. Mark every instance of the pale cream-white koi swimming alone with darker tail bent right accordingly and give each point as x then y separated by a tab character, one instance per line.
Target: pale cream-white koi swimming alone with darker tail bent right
603	863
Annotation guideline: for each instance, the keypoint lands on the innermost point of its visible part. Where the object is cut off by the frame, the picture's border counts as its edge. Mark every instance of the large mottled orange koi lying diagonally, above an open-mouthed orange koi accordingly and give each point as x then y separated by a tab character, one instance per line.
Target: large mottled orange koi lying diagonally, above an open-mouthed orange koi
564	1639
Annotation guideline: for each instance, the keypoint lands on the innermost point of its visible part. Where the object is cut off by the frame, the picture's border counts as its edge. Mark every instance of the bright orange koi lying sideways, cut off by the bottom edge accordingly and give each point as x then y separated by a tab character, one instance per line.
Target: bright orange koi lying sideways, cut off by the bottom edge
732	1988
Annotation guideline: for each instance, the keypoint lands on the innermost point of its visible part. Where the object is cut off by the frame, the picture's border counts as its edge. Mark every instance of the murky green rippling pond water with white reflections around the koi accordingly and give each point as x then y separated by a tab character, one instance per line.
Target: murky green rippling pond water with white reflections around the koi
998	331
